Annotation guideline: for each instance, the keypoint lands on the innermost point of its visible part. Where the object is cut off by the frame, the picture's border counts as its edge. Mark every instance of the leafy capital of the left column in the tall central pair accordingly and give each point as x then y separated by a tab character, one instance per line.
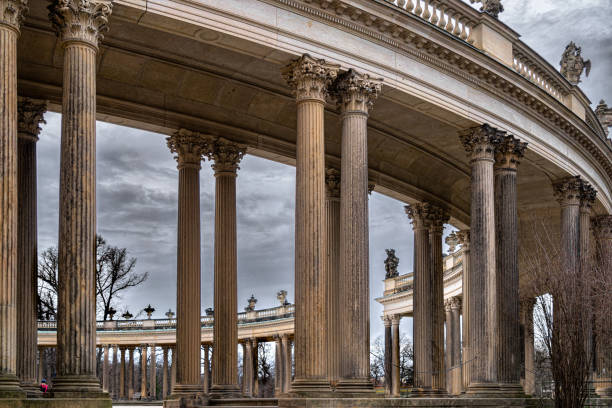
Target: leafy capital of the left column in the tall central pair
310	78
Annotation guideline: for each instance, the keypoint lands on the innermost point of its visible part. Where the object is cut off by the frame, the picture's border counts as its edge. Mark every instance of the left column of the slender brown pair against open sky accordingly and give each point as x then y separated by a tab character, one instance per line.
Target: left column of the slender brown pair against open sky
189	148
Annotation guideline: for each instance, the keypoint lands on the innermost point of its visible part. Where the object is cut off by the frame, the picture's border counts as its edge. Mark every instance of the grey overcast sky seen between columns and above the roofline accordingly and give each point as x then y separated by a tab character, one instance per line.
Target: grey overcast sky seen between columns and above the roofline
137	185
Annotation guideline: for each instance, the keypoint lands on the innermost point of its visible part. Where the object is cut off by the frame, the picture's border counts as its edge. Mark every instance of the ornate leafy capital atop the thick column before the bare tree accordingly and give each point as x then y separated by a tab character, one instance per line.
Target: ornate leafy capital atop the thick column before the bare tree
80	20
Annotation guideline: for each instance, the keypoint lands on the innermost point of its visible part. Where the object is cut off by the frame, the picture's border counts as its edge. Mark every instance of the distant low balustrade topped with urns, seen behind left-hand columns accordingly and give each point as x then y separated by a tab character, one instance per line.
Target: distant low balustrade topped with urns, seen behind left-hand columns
279	312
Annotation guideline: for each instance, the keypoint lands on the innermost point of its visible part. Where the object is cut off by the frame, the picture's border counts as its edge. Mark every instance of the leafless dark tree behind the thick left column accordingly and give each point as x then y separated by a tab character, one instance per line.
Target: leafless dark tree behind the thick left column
115	272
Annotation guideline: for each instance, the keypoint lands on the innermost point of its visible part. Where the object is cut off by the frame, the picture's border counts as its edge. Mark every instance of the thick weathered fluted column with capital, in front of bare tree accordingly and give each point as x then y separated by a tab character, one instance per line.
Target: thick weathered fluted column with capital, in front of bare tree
80	25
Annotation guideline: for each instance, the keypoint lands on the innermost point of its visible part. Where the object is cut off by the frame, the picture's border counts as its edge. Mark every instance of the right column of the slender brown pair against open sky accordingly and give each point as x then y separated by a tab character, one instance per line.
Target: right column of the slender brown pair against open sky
225	156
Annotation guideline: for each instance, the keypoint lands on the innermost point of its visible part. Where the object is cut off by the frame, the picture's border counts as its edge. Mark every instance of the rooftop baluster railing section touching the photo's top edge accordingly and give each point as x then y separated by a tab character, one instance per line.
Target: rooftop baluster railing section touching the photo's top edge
452	16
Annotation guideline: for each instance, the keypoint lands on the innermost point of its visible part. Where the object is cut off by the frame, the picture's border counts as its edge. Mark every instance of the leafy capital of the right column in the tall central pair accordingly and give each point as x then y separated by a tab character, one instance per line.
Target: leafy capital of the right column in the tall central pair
356	92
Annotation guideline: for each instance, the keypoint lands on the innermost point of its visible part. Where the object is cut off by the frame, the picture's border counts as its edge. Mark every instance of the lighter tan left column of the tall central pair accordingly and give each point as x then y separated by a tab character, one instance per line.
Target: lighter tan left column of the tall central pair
310	78
